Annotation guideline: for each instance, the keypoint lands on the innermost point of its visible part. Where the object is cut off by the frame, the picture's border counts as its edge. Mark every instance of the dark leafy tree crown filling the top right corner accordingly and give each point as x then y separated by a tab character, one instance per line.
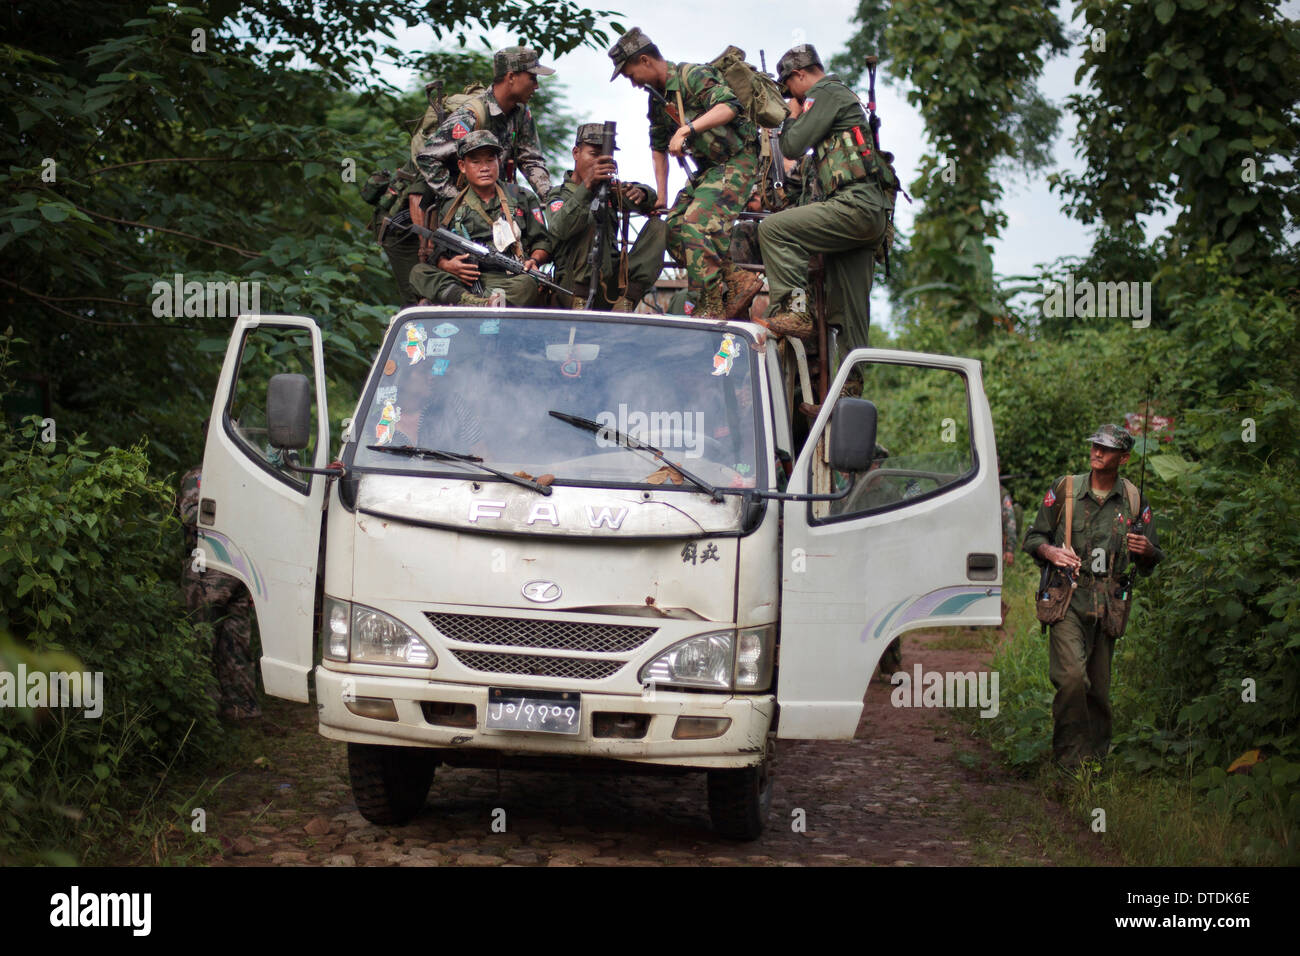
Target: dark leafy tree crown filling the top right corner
1193	103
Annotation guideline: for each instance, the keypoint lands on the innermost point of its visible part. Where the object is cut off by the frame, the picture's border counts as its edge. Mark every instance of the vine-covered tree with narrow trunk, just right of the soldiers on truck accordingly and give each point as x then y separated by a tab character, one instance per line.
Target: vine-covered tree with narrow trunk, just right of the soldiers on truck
970	67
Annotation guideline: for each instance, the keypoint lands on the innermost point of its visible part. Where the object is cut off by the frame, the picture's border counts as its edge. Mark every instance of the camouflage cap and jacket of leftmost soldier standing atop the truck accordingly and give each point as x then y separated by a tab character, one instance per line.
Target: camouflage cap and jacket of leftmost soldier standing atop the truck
515	131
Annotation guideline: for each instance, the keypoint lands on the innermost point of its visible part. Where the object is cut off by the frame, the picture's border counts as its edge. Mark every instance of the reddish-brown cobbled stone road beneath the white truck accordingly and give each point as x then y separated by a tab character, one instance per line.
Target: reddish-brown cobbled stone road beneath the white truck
912	788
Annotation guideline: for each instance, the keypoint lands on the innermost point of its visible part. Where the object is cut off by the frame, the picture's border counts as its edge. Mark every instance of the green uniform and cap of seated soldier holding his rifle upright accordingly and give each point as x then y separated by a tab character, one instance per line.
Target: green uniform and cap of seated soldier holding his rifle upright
573	228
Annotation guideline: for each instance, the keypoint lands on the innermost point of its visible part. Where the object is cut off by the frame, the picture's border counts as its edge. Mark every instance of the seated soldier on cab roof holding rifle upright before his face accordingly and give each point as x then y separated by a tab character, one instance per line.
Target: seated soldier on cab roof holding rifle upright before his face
625	280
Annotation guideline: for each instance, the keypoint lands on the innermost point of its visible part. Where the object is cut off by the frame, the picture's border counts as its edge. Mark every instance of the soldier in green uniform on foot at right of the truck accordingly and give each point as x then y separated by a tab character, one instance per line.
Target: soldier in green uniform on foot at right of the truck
1100	550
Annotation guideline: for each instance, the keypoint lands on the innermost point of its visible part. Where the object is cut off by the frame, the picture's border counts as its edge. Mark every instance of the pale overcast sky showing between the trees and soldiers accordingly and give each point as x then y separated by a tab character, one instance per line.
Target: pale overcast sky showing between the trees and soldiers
695	32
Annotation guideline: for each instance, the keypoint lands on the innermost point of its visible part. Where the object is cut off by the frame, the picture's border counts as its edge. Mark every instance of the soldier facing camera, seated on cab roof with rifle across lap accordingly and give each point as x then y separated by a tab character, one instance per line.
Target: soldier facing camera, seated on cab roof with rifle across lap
506	218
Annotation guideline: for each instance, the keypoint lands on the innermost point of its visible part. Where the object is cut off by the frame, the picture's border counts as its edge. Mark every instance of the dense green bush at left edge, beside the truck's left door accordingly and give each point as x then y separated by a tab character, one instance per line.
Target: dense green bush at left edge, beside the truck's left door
89	583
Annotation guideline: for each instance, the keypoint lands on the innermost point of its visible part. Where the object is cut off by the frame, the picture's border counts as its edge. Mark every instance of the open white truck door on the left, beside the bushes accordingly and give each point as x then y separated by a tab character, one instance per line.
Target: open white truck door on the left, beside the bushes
259	521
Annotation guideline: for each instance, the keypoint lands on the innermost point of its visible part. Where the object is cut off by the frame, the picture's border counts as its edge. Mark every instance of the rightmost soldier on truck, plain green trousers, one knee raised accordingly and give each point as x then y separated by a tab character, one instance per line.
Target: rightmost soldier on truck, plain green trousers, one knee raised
848	222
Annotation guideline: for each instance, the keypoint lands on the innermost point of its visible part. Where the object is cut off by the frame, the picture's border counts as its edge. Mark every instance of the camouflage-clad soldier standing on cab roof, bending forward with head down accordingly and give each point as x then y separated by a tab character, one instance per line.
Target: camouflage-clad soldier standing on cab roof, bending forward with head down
703	118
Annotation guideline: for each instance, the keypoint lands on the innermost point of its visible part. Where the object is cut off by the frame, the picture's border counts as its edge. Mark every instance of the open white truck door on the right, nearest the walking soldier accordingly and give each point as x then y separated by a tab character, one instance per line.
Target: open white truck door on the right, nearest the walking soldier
917	543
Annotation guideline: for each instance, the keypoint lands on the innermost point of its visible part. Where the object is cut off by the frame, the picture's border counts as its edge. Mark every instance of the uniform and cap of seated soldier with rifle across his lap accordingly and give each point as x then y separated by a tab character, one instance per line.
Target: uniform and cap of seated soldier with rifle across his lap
474	218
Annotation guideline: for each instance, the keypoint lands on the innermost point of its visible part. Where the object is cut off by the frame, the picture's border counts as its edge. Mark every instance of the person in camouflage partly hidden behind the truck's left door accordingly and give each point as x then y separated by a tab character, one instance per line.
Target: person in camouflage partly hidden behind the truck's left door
224	603
